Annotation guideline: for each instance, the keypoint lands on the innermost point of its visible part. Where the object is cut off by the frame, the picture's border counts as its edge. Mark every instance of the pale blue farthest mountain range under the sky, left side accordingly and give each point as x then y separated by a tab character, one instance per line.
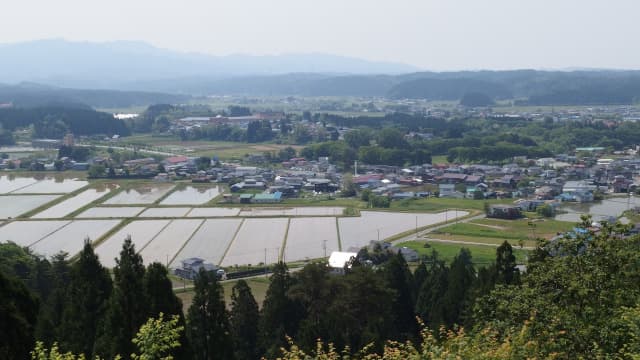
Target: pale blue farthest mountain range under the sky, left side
123	64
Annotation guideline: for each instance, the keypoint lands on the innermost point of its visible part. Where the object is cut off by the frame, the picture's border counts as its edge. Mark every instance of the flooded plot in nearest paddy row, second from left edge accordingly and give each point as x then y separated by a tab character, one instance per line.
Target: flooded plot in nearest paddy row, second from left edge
71	238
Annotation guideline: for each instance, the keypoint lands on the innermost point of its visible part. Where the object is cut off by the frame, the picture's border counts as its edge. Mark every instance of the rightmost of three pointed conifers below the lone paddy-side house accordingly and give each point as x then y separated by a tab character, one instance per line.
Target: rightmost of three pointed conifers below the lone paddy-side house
278	314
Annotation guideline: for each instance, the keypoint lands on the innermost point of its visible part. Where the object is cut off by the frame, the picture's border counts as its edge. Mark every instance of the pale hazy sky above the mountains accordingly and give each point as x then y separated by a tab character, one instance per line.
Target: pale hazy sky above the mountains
433	35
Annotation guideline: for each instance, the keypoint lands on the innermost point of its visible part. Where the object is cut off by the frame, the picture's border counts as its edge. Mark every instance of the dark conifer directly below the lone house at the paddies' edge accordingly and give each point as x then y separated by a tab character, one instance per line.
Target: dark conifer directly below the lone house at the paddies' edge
207	320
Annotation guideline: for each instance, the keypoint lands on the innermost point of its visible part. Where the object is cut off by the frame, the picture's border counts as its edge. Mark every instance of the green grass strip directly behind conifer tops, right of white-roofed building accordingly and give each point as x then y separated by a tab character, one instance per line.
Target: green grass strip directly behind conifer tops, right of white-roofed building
482	255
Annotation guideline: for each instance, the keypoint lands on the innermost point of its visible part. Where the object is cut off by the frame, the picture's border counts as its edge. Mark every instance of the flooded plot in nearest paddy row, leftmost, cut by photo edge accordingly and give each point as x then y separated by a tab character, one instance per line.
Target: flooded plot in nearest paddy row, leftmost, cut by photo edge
25	233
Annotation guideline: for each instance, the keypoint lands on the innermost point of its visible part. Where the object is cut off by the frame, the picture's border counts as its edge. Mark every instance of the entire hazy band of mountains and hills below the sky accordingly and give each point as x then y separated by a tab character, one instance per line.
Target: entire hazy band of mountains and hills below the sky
144	75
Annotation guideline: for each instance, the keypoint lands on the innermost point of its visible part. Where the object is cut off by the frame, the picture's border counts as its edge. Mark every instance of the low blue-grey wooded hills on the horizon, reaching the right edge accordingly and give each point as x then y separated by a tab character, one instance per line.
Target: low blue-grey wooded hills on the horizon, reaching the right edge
524	86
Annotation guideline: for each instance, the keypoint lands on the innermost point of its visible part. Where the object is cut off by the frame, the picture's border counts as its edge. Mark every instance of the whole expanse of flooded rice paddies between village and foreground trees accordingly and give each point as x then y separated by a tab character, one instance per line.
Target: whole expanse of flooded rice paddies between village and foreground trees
220	235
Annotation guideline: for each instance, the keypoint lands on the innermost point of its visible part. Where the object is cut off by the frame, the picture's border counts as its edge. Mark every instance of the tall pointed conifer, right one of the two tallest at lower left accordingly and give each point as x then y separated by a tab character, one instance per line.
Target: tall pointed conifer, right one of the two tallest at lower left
127	306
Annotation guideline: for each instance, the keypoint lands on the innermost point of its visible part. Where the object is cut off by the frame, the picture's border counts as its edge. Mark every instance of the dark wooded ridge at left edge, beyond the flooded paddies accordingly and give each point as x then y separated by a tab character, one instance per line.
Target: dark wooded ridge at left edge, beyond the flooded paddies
55	122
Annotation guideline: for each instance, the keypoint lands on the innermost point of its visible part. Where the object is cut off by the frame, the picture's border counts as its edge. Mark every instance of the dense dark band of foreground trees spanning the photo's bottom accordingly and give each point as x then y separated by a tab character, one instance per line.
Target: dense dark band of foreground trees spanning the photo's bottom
578	298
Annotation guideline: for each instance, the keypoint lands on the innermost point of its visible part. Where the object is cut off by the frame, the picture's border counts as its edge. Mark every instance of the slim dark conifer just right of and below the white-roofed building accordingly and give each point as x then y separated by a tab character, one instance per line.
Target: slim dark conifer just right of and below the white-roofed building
399	279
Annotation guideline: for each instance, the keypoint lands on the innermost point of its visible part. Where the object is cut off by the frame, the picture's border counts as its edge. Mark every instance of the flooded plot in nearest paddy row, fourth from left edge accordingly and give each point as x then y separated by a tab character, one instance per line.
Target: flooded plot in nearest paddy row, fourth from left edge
166	245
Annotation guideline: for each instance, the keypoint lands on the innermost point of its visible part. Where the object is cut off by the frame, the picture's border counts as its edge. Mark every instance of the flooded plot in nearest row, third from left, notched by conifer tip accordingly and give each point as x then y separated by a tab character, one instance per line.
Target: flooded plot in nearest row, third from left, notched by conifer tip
141	233
